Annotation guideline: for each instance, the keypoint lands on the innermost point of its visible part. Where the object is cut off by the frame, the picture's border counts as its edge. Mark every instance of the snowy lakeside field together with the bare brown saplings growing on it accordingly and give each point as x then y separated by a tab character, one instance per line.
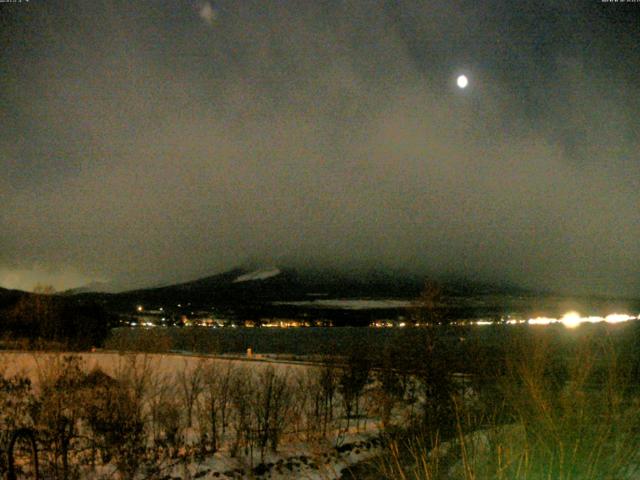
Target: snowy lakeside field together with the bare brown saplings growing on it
175	404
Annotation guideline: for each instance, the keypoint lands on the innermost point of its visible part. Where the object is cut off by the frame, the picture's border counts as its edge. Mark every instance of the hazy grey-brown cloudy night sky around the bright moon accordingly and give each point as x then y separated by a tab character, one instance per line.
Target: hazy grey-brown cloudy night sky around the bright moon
147	142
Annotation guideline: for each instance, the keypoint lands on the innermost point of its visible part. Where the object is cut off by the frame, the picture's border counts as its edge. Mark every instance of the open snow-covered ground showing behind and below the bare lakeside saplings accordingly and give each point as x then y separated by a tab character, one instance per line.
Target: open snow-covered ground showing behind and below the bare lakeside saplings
297	457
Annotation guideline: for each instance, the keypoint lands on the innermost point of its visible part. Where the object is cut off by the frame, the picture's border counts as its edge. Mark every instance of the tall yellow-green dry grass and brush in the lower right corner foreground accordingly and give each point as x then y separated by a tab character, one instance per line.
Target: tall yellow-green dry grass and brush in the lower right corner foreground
560	406
